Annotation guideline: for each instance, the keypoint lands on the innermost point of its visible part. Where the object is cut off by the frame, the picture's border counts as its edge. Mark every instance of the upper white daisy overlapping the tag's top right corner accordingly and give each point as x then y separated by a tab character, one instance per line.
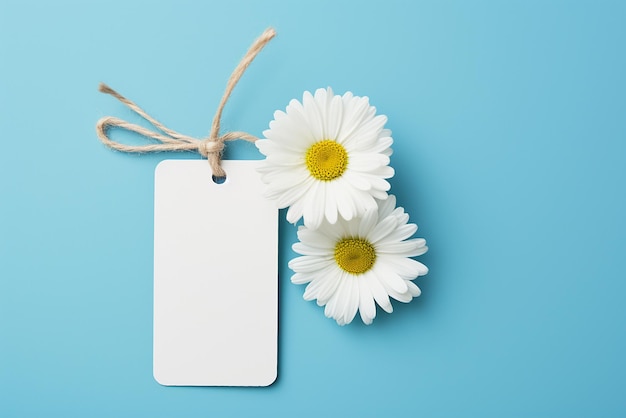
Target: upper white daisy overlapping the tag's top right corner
326	156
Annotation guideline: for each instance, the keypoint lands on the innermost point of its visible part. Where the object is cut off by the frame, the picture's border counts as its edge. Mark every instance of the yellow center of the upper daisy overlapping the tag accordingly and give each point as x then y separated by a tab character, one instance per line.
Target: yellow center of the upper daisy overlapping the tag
326	160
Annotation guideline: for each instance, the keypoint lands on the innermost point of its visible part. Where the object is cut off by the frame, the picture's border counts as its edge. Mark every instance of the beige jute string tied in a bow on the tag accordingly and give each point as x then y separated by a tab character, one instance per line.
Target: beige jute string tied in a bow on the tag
210	147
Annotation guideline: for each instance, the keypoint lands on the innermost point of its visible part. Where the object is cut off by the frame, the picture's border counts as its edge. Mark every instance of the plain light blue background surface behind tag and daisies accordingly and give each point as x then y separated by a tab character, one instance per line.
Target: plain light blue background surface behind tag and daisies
509	120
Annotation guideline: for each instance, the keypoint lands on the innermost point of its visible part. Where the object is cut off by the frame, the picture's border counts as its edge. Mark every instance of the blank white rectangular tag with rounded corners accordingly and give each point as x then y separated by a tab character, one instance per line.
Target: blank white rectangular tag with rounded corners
215	276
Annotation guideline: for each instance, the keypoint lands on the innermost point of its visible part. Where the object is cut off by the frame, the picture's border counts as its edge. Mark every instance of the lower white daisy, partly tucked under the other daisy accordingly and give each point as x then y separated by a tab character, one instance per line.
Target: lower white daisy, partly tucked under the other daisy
353	263
